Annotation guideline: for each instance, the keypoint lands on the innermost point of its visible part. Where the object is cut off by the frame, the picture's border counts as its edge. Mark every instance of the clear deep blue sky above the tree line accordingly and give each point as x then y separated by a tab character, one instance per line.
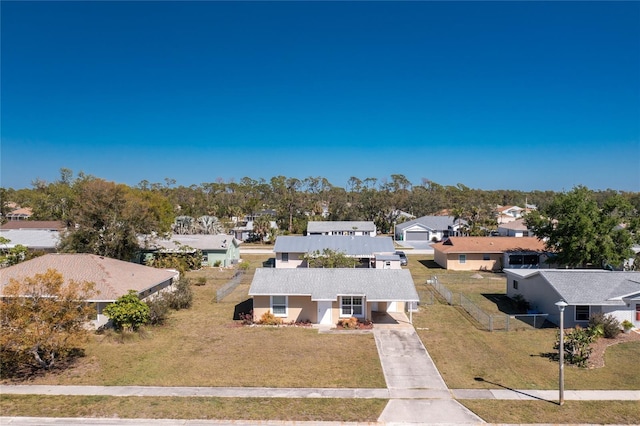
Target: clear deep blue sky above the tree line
494	95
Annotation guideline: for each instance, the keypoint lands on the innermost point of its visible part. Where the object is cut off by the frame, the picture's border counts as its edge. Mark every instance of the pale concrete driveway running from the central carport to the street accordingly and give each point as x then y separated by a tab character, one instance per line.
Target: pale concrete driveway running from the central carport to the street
417	391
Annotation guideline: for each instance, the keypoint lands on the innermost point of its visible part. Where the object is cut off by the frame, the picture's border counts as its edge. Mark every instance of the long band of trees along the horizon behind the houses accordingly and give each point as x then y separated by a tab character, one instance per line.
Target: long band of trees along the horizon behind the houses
106	217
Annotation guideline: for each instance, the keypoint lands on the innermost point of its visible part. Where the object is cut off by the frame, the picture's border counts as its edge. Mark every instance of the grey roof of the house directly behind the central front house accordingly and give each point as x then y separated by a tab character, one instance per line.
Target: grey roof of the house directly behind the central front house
351	245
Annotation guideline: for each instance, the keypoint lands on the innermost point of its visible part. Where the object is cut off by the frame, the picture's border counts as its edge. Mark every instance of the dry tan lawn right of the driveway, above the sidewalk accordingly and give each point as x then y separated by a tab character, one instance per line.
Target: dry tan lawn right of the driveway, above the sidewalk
518	360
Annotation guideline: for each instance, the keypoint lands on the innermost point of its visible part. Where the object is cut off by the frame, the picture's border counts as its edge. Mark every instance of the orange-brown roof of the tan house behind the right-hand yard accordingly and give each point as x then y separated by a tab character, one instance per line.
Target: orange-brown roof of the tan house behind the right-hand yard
489	244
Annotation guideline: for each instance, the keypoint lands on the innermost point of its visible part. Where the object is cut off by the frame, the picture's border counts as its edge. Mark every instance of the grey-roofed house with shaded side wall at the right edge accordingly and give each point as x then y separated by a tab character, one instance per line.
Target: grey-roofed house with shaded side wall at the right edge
587	291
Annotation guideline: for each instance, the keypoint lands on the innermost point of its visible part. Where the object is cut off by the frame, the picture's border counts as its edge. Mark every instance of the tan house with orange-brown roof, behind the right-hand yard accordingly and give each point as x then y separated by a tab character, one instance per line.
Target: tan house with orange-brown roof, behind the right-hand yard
489	253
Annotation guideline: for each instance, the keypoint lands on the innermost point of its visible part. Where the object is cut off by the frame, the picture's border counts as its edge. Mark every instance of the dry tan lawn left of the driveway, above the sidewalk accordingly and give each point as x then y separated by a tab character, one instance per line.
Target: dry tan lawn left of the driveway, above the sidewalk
203	346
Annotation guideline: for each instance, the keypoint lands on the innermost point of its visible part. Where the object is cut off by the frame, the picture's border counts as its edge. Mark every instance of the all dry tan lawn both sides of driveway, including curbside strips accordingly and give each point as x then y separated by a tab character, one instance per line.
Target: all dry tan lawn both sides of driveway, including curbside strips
203	346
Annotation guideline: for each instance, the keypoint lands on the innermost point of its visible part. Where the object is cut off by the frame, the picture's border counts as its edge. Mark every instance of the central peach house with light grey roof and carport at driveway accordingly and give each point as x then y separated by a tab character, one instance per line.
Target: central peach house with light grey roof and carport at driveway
324	296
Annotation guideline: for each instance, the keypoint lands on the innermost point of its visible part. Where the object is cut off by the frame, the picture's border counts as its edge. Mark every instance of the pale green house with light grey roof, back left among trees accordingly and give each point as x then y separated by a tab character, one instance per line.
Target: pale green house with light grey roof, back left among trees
217	250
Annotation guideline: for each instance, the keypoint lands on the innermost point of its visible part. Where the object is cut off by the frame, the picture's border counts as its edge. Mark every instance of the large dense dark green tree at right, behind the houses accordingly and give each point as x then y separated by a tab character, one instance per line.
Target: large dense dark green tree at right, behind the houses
584	233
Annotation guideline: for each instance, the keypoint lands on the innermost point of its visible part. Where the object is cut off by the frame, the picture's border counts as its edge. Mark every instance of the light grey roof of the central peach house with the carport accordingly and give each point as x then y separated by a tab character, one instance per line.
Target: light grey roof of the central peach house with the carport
329	283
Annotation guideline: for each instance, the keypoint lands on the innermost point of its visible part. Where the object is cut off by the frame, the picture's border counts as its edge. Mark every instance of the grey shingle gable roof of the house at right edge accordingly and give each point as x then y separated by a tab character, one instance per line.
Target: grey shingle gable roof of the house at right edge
589	286
